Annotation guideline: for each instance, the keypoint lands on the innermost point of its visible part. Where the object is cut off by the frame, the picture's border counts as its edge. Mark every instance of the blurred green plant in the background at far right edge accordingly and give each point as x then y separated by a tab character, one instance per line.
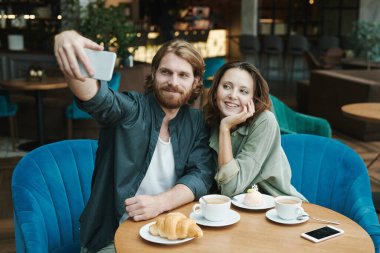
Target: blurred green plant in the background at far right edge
366	40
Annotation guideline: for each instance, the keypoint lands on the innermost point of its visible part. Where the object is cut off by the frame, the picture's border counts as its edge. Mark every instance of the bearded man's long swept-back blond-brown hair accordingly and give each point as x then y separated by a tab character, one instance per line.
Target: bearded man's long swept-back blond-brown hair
185	51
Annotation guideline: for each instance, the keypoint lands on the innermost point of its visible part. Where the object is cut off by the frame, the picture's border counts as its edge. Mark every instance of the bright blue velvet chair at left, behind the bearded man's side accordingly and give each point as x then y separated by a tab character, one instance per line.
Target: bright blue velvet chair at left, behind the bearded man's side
50	188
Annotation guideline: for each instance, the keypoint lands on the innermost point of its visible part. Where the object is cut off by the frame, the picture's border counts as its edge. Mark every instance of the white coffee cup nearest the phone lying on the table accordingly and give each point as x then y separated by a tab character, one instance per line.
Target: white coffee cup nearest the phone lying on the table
288	207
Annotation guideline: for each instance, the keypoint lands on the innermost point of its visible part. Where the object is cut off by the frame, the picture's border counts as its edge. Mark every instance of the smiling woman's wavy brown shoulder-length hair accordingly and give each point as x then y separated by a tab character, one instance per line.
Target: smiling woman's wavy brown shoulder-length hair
261	98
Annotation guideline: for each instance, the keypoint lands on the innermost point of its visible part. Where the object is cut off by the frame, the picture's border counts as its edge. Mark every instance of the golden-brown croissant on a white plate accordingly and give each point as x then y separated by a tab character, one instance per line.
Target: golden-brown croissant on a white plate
175	226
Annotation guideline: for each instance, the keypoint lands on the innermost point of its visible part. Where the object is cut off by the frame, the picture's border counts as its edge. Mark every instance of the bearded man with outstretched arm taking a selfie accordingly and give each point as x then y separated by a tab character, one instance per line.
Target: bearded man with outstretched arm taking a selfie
153	153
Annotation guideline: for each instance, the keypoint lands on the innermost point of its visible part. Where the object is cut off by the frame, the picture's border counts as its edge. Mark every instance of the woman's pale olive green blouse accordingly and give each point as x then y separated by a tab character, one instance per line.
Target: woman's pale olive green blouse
258	159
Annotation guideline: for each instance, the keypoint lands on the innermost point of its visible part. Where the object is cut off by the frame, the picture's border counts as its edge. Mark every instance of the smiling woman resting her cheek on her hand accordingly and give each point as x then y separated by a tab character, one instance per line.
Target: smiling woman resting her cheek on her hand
245	135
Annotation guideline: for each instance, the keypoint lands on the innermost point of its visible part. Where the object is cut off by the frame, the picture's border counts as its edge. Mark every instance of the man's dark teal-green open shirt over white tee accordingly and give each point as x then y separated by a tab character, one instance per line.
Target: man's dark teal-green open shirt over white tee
130	126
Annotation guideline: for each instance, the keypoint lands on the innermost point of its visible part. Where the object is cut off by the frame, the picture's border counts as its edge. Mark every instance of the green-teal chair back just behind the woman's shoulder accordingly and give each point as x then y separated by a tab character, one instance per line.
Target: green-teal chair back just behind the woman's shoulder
294	122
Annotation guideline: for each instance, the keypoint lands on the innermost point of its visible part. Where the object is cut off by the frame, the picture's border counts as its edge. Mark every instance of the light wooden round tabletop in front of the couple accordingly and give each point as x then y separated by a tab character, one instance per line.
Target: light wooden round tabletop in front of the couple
253	233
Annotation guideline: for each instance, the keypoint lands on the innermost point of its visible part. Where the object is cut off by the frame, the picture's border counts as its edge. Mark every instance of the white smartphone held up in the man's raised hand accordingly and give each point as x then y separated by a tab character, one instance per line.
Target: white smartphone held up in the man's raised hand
103	63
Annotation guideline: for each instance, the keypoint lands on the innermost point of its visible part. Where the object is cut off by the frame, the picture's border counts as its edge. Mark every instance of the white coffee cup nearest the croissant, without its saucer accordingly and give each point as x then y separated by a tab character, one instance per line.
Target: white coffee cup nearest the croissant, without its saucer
213	207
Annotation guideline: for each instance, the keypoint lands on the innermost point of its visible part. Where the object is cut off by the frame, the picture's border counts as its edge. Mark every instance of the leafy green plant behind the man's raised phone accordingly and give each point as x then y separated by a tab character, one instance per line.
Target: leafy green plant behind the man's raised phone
108	26
